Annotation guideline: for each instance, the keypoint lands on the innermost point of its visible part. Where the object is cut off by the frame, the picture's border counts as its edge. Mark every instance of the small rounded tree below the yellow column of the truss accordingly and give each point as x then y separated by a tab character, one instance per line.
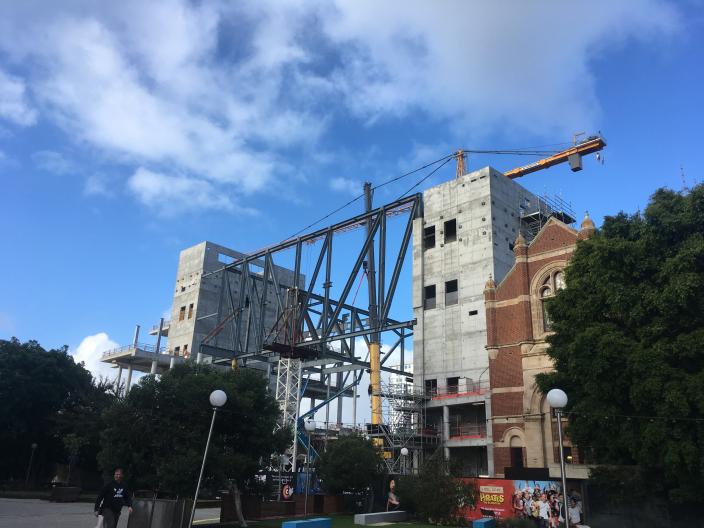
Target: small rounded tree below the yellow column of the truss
351	463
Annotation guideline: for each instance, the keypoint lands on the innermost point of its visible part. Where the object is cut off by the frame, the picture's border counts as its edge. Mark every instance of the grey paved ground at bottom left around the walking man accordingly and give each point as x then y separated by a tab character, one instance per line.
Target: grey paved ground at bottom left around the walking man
35	513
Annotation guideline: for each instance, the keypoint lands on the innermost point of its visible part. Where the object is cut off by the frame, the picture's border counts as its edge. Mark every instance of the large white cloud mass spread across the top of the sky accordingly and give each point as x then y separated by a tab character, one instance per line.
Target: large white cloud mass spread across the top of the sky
207	99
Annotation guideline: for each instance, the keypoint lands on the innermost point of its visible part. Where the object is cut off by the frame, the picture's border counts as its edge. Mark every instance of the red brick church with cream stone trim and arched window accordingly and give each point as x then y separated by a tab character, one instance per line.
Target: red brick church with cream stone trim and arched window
524	432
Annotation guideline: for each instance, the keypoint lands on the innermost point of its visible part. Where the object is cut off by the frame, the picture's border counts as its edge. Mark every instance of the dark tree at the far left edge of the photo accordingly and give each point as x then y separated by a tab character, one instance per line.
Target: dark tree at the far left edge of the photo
47	397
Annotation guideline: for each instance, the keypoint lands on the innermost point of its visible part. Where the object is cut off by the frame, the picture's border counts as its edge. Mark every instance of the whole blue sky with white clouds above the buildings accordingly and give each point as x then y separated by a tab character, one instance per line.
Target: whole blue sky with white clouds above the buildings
131	131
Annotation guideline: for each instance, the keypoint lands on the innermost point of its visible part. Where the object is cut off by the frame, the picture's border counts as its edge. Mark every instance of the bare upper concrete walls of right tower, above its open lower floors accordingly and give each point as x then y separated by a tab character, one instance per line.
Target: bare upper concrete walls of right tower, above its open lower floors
450	338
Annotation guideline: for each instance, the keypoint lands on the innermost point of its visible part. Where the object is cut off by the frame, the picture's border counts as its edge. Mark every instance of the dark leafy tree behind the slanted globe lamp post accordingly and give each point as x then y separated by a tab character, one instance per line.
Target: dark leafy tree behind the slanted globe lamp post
158	432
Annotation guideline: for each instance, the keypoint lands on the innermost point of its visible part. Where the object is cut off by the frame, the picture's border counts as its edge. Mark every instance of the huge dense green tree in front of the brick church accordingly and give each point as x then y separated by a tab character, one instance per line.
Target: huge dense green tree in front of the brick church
628	342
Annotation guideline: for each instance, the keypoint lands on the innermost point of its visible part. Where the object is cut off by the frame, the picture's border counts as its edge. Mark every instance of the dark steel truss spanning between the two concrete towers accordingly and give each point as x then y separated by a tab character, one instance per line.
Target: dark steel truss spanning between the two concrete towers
314	319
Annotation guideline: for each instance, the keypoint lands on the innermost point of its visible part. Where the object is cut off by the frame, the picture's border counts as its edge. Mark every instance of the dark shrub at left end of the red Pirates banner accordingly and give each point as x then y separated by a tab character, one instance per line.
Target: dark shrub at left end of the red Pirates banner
436	495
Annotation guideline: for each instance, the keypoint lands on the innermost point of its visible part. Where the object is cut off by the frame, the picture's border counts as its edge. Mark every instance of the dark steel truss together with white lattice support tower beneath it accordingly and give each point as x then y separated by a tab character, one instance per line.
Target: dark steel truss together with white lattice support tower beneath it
271	315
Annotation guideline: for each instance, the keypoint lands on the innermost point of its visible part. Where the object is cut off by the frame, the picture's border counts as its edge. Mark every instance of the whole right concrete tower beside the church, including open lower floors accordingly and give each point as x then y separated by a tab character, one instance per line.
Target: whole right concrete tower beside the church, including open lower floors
466	234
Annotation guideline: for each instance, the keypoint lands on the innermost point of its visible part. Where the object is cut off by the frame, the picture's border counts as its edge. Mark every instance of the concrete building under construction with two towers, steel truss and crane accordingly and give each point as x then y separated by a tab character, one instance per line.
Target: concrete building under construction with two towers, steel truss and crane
234	309
